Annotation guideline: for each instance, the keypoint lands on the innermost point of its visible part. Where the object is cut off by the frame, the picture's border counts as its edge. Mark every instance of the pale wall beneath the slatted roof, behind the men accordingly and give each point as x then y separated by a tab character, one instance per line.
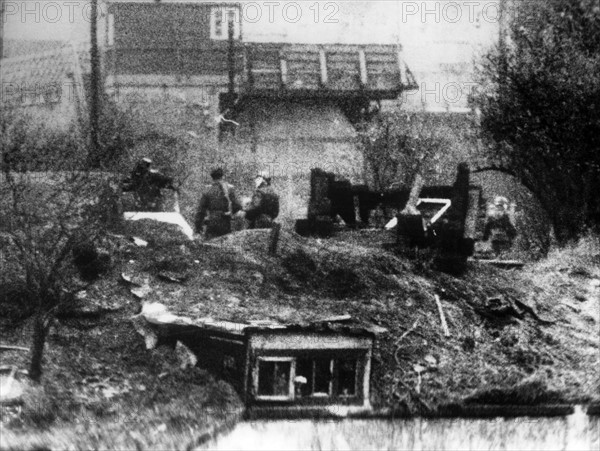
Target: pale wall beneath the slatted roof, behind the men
288	139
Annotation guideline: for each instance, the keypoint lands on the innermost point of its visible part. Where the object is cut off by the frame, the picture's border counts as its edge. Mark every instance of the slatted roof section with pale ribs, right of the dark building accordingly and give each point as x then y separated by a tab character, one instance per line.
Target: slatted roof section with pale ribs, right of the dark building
325	70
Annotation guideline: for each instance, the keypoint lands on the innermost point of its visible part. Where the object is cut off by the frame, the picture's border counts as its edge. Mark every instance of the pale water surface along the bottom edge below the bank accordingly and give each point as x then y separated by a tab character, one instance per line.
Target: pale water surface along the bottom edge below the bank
574	432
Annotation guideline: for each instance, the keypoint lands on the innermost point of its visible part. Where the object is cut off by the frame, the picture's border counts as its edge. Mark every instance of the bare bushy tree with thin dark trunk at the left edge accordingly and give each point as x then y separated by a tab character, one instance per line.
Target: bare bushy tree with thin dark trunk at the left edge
50	203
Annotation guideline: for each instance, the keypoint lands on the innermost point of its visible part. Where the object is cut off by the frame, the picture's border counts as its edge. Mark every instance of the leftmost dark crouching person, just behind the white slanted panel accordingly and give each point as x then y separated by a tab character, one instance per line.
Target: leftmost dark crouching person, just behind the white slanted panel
146	184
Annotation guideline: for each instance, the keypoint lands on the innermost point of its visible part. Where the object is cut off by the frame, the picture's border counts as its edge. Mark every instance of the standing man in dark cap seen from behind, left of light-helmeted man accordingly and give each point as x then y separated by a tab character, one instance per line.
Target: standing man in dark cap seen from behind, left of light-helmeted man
217	206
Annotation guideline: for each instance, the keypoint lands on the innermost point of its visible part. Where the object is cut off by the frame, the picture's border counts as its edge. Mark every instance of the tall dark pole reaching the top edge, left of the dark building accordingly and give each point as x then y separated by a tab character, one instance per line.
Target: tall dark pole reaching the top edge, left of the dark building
94	84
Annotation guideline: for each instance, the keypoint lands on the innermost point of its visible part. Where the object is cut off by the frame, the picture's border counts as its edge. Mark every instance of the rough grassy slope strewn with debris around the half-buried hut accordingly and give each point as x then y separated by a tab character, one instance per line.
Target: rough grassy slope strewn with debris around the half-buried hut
235	278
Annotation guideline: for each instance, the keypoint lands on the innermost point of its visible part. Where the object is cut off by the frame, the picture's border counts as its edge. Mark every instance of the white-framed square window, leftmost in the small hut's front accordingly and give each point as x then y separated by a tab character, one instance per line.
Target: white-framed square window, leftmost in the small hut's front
274	381
